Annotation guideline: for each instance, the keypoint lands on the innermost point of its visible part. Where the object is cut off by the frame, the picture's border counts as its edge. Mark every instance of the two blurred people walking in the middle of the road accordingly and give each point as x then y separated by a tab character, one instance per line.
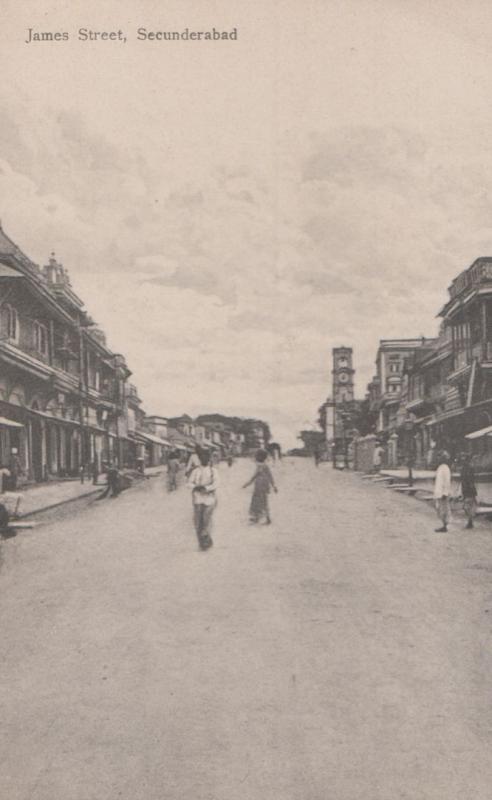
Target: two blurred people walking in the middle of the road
203	480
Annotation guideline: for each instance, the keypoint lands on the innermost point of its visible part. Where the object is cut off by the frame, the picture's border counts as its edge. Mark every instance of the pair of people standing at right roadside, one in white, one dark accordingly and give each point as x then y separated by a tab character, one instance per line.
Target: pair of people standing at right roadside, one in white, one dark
442	490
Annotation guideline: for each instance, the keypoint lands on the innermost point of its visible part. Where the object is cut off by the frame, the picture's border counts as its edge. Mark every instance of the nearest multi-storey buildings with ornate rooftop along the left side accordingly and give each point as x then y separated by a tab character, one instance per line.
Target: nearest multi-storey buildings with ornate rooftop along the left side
62	389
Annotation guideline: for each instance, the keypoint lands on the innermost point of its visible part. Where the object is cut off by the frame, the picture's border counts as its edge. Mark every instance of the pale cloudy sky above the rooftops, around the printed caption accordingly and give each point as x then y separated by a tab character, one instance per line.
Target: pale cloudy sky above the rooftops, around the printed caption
230	211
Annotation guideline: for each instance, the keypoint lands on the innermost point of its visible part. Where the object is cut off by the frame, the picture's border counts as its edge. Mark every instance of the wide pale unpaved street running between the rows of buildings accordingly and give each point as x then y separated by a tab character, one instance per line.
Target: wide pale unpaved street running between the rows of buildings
341	654
